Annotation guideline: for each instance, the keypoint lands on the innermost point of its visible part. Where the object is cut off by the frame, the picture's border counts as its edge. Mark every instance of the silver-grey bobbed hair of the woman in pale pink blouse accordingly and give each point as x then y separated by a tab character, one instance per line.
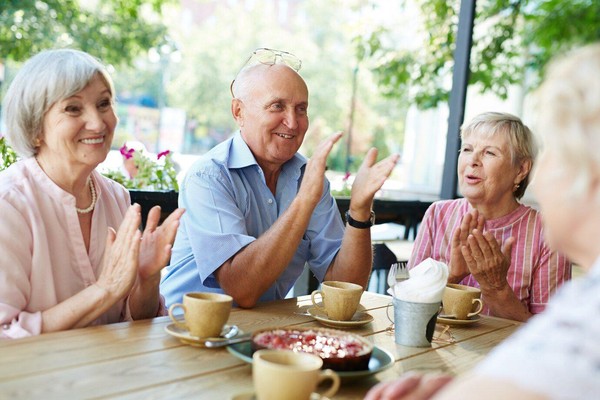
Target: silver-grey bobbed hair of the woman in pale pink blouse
47	77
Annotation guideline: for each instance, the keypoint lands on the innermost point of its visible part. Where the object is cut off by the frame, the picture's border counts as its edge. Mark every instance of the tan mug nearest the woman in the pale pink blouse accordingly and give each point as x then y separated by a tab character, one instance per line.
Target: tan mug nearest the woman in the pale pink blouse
204	314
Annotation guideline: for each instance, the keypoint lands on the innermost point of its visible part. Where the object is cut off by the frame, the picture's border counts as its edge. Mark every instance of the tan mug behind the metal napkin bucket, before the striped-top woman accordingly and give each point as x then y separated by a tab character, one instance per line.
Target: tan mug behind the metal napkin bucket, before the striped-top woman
461	301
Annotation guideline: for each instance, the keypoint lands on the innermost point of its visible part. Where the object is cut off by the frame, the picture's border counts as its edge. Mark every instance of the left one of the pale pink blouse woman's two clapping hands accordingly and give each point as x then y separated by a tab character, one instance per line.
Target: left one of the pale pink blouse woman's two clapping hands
119	267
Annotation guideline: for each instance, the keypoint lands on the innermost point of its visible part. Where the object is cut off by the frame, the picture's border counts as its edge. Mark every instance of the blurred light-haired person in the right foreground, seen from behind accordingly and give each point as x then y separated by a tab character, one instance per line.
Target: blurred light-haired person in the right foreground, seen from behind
556	354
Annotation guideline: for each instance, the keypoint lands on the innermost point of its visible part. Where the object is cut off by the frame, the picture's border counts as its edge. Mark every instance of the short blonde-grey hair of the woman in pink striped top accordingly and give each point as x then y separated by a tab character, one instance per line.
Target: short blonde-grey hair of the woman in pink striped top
520	139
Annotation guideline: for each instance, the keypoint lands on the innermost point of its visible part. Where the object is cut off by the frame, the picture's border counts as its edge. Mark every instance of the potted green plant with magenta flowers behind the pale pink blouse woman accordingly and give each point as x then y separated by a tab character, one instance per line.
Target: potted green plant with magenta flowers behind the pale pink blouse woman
159	174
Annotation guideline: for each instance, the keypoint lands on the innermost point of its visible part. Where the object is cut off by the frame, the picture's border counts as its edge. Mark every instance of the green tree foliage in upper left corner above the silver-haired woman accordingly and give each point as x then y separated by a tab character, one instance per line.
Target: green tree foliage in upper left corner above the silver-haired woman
113	30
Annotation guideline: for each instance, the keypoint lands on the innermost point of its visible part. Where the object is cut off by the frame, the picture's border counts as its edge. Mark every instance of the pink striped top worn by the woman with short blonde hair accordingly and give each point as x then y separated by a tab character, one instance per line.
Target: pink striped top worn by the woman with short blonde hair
535	271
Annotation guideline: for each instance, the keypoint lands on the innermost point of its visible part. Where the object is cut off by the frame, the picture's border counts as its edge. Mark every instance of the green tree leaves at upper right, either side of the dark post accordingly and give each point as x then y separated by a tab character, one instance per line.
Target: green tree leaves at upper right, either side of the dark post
513	40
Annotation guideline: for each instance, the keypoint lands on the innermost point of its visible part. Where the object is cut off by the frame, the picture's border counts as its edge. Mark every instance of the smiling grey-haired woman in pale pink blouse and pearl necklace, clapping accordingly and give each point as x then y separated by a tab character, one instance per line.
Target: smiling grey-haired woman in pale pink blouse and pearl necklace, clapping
63	265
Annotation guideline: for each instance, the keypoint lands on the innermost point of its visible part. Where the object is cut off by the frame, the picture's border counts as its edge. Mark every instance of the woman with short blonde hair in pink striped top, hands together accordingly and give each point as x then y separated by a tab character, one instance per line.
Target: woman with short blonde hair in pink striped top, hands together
508	257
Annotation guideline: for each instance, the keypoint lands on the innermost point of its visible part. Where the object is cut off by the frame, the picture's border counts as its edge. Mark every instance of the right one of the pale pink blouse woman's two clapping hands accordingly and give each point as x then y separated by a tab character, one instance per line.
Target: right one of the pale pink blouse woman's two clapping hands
157	241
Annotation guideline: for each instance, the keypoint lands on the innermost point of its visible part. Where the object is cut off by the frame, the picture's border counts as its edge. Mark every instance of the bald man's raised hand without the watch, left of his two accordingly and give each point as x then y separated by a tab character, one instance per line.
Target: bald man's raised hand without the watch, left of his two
314	173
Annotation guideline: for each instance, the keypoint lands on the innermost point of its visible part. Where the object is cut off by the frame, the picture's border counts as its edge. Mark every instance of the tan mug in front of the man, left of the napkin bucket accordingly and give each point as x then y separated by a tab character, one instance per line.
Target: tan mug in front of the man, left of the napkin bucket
340	299
